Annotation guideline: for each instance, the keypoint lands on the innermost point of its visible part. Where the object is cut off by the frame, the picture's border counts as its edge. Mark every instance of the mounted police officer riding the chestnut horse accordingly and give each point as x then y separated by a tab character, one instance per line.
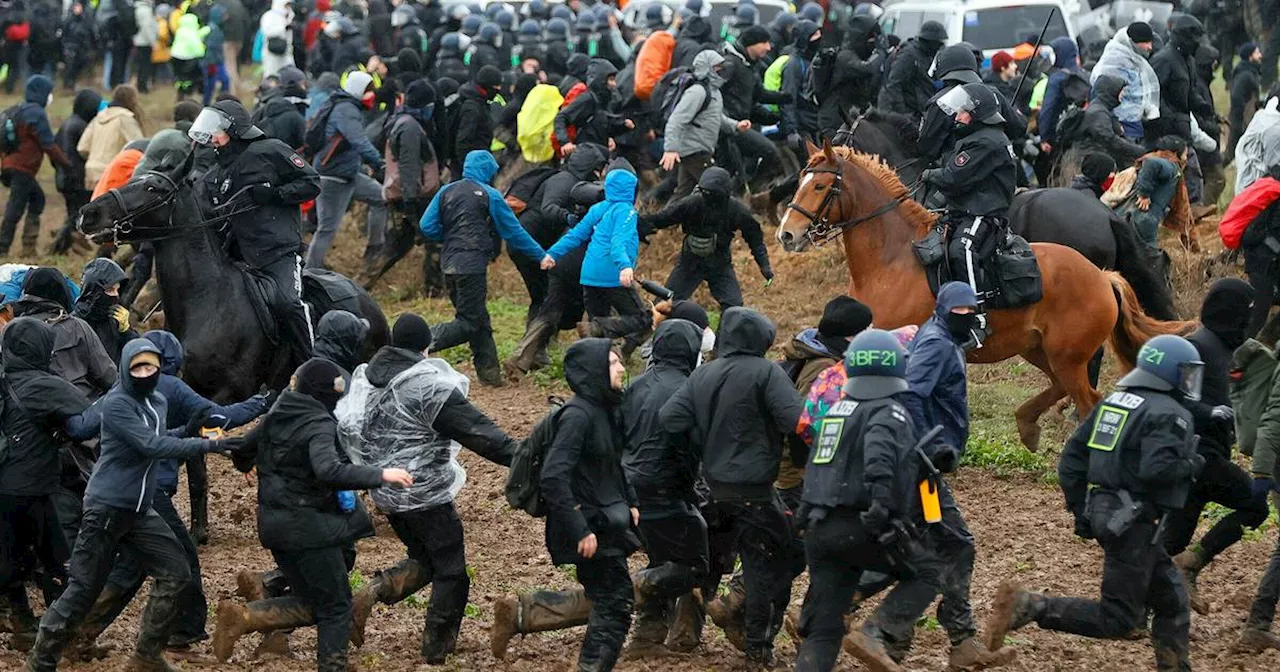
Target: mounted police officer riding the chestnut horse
977	179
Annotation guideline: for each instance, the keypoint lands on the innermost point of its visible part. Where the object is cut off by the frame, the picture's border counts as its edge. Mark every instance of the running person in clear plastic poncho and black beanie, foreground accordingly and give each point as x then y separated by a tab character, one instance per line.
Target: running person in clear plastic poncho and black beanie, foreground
408	409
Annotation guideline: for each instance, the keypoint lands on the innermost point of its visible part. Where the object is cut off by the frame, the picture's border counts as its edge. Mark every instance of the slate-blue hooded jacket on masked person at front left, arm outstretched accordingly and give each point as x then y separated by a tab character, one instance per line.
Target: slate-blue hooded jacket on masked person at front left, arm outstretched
134	441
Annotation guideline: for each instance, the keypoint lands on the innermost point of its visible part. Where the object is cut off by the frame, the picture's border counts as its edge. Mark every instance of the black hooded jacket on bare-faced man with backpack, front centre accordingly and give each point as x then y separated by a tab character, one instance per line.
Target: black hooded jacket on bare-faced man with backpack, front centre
583	483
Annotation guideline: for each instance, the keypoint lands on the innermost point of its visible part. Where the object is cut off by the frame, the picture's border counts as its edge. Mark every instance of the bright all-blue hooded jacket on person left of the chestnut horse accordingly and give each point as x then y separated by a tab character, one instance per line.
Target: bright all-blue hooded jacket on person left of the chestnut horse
611	228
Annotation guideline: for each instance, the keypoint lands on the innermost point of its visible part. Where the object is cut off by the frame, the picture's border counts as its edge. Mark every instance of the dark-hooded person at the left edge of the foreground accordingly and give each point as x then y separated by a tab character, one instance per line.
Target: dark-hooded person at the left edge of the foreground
40	412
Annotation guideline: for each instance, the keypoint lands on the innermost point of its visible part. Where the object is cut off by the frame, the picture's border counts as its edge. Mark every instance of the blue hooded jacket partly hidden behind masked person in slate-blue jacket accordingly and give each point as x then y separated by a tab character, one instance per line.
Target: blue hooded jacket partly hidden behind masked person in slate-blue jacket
184	403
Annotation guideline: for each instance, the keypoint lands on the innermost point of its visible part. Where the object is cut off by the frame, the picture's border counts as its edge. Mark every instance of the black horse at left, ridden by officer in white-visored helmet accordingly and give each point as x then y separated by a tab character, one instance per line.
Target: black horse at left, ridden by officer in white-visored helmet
208	299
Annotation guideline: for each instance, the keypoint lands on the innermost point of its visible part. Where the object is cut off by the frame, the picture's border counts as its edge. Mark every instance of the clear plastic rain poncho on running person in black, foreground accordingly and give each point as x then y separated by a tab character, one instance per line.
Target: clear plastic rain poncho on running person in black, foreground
392	428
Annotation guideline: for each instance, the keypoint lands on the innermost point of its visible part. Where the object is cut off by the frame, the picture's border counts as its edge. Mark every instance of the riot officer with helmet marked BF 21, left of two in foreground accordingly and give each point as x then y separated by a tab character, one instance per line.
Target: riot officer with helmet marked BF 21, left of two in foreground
860	501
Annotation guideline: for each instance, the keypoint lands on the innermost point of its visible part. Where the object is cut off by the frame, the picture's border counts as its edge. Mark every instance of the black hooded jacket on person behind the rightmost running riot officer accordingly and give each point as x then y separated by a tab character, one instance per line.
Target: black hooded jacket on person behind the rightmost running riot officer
1224	326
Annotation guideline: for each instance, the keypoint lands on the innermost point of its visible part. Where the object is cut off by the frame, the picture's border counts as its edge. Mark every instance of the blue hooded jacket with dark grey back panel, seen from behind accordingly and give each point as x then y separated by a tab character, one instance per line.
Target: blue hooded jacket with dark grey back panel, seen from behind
468	207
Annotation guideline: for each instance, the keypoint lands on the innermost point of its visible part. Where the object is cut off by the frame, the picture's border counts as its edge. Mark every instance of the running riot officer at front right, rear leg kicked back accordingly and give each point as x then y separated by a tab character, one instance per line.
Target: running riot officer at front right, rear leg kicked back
1127	467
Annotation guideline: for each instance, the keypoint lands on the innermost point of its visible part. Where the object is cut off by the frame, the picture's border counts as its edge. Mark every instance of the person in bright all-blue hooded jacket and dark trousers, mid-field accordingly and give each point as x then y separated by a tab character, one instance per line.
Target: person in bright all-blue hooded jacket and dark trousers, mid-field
612	243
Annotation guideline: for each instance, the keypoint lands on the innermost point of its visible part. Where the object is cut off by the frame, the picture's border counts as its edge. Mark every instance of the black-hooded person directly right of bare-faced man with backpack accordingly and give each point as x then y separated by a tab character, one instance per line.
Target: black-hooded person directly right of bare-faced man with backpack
671	528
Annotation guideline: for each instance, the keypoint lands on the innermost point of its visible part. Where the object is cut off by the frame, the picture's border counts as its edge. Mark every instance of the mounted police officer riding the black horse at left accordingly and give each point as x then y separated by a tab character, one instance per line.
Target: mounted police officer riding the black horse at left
267	181
